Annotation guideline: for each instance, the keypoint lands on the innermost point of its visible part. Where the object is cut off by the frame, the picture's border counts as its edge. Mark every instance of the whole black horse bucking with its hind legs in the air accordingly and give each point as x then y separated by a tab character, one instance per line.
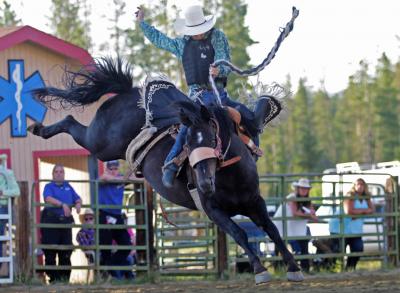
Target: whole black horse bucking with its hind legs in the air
212	138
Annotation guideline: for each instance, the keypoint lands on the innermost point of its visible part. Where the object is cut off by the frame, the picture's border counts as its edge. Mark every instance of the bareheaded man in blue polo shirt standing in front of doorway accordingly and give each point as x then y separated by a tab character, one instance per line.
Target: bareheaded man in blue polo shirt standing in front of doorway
60	194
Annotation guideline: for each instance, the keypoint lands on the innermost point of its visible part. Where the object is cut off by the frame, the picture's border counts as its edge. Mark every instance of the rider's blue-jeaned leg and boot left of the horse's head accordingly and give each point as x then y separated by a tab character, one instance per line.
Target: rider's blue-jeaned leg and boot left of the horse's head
170	168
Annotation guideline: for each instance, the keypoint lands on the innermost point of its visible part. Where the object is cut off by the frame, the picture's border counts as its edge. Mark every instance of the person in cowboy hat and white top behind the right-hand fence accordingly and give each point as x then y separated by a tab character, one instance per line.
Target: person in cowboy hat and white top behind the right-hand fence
299	212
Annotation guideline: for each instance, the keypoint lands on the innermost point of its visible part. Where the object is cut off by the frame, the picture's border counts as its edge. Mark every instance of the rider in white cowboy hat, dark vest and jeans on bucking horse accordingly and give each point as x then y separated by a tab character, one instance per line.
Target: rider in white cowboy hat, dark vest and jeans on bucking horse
200	46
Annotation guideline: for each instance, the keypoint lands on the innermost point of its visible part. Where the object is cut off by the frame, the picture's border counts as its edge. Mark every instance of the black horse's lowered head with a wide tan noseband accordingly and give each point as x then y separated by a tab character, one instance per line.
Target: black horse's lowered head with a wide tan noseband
203	144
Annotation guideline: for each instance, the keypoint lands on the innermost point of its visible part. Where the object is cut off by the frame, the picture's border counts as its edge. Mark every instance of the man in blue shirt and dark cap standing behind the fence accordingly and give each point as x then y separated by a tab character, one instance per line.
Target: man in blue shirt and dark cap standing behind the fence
111	192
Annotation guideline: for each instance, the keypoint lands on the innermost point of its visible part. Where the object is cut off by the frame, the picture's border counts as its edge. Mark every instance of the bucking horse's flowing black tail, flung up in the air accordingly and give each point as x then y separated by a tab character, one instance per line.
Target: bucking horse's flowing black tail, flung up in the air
90	83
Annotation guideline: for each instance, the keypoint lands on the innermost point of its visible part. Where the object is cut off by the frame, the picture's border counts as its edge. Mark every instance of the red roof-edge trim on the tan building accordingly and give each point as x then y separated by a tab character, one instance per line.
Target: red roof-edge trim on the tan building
11	36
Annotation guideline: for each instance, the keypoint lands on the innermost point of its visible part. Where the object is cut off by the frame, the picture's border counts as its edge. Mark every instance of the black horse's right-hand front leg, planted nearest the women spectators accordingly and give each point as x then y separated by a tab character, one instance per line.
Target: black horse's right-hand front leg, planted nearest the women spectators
259	216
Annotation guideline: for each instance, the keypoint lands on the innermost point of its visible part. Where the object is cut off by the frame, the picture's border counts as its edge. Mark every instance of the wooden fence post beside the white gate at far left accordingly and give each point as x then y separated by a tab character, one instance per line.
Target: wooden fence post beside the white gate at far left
22	234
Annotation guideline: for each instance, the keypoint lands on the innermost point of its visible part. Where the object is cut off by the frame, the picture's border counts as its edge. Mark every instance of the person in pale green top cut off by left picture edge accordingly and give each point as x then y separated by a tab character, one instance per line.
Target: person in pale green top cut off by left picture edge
8	188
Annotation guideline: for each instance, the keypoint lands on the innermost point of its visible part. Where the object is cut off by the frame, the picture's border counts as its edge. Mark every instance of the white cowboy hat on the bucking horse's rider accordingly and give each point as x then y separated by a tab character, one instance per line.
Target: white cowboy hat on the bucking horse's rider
194	23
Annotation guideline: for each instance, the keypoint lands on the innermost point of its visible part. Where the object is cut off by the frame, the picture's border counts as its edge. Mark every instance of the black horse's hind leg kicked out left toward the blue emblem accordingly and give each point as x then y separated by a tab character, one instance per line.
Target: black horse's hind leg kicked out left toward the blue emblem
67	125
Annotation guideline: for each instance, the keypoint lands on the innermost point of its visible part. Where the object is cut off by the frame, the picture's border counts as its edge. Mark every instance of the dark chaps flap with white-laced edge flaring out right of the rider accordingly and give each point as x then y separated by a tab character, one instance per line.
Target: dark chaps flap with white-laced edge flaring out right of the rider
266	109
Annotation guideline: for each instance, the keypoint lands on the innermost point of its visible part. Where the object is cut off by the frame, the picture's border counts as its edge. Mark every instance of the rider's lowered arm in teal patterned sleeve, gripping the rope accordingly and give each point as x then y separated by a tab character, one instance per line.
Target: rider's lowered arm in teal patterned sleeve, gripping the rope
222	51
